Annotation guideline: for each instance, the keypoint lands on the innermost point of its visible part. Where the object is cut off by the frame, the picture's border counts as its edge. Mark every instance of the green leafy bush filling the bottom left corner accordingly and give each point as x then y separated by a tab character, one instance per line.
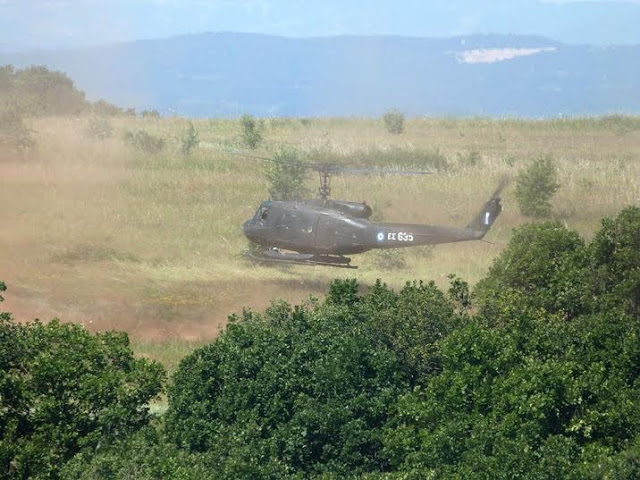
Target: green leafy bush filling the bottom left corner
64	390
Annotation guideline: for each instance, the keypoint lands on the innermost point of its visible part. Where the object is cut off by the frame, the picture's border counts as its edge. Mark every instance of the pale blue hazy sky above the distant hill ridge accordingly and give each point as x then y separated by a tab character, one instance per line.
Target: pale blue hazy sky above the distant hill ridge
26	24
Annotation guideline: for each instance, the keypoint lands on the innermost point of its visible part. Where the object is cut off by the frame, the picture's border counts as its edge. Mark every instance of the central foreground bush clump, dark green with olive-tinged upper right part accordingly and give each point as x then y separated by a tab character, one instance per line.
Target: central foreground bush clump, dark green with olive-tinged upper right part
308	388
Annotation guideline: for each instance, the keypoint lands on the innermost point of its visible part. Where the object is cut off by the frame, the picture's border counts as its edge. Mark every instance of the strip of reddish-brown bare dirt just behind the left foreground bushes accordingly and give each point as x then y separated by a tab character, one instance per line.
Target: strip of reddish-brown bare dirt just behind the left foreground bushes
191	312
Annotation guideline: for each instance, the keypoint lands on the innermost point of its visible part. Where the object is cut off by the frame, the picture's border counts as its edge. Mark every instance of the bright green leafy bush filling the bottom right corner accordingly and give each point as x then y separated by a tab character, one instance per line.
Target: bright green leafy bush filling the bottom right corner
533	399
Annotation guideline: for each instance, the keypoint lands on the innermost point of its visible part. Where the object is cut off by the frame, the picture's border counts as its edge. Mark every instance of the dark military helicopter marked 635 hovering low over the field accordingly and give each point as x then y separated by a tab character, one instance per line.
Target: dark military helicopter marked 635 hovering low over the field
322	231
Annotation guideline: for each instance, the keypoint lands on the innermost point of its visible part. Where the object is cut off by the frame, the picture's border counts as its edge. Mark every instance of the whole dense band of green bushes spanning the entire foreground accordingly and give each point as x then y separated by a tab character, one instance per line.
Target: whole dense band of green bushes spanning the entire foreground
535	374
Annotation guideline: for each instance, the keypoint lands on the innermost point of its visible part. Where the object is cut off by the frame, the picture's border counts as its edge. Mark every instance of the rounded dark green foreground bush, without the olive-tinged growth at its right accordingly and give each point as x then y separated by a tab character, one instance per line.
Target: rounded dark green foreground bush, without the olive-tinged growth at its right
305	389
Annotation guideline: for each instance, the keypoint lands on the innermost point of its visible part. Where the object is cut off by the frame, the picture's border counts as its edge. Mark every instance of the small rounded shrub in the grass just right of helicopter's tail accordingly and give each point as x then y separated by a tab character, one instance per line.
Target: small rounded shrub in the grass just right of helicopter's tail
535	186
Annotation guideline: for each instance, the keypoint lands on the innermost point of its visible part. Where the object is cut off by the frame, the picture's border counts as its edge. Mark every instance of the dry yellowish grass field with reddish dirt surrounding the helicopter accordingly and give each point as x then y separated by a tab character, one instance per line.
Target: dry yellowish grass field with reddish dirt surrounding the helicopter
97	232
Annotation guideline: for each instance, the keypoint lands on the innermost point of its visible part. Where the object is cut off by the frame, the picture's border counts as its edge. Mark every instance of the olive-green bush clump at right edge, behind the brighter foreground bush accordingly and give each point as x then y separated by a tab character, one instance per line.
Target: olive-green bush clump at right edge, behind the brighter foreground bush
549	268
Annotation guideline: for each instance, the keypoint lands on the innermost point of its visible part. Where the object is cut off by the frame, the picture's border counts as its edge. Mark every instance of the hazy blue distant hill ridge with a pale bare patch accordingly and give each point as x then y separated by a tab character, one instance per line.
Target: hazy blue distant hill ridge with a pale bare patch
228	74
